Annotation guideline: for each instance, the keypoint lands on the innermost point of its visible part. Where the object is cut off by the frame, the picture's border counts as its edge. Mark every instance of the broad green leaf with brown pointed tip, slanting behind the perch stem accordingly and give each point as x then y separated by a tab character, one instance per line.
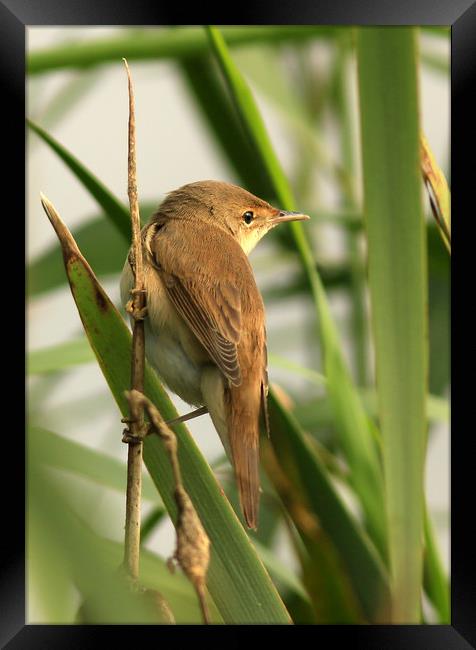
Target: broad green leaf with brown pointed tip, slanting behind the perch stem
237	581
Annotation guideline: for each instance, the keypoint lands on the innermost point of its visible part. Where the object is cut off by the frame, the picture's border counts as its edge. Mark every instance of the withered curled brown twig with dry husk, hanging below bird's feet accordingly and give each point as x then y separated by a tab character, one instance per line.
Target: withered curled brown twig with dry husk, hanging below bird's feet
193	544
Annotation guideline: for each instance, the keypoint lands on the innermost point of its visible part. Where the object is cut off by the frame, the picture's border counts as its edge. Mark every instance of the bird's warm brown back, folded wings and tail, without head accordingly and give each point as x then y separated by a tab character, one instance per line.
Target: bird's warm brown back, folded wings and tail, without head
227	317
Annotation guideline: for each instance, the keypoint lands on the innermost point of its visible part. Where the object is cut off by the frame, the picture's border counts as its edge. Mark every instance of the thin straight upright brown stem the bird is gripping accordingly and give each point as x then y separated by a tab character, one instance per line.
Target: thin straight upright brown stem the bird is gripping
137	309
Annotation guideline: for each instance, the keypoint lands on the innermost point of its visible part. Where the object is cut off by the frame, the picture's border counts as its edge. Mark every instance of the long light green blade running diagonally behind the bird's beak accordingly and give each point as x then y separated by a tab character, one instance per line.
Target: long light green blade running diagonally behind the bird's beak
353	430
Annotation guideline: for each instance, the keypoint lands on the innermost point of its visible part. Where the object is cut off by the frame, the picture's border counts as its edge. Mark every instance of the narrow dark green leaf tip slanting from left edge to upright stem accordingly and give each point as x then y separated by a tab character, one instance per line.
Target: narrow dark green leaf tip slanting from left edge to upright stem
113	208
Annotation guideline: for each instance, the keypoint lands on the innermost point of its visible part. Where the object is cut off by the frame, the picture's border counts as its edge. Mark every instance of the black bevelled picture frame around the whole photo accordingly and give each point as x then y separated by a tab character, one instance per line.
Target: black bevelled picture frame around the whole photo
15	16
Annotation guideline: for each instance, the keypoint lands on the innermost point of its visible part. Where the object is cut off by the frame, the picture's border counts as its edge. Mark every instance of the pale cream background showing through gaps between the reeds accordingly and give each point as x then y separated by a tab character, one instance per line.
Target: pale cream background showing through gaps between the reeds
174	148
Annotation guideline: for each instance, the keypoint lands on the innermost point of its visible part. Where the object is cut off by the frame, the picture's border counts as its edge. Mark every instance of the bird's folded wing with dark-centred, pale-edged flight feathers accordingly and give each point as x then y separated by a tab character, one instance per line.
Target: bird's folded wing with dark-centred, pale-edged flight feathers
211	308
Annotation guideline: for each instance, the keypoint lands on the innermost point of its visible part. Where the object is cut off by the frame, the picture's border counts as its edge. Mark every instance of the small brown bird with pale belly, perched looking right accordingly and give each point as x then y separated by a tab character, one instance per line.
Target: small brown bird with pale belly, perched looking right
205	329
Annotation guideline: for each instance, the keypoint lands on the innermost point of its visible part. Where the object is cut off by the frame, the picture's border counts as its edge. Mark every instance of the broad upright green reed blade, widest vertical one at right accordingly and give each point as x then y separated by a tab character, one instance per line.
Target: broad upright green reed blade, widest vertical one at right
398	287
